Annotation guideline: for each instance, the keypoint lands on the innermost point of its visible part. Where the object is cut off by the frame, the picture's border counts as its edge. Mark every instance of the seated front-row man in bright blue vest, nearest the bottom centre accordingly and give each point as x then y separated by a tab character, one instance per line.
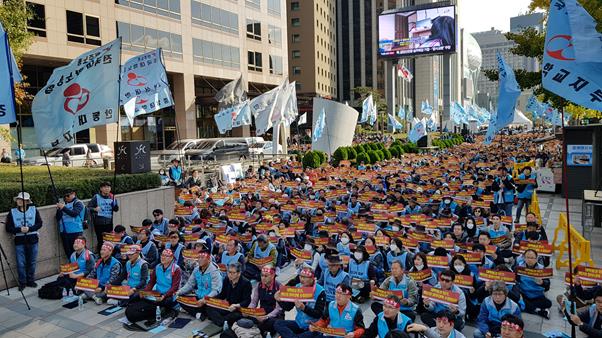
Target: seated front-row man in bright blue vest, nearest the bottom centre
340	313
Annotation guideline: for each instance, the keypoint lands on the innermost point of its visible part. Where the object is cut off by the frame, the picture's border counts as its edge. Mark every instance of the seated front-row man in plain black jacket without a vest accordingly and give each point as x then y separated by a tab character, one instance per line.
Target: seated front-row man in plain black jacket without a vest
237	291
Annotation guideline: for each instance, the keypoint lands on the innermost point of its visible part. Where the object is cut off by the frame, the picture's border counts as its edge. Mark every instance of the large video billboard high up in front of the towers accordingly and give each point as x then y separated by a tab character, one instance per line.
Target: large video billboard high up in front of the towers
417	32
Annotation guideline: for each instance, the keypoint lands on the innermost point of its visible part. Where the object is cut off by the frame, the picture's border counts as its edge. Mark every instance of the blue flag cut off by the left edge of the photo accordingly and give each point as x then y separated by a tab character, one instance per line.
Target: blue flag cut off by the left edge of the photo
9	75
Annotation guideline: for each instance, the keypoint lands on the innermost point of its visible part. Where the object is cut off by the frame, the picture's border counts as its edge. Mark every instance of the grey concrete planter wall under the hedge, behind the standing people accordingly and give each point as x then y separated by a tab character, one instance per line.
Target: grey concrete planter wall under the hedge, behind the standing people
133	208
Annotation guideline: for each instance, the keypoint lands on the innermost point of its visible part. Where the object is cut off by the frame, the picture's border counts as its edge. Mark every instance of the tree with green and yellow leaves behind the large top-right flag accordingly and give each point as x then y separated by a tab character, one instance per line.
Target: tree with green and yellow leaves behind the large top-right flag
530	43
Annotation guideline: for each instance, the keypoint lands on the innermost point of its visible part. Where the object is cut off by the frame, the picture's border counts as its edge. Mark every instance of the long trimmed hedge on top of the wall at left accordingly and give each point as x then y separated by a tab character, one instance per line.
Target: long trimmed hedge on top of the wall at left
85	181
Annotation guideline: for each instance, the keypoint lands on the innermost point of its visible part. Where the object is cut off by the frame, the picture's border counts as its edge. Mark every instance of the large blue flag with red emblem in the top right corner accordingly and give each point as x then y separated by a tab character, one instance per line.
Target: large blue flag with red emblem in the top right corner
568	70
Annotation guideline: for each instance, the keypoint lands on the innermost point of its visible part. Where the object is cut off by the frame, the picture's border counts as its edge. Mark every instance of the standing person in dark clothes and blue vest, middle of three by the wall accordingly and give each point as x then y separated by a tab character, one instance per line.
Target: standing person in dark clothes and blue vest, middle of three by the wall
70	214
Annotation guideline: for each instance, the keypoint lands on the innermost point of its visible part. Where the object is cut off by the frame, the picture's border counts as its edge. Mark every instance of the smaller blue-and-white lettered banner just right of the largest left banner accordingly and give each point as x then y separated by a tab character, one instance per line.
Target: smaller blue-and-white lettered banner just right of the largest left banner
144	80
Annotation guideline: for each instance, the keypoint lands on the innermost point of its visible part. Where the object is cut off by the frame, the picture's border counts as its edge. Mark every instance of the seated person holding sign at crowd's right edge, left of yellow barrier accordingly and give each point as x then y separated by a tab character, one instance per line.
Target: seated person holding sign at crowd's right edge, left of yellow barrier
533	289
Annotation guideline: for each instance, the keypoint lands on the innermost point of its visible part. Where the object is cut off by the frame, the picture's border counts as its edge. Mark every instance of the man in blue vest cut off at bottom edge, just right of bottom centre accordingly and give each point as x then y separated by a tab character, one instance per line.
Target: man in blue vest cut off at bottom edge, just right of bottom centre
389	319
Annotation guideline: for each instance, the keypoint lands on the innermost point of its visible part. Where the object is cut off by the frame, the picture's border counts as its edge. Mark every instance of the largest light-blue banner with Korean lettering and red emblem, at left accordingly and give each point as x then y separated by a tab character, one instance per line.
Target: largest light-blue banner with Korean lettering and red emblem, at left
78	96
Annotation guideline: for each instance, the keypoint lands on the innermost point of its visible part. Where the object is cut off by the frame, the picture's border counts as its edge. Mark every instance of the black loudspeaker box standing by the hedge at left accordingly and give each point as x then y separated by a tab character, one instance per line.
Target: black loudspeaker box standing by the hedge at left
132	157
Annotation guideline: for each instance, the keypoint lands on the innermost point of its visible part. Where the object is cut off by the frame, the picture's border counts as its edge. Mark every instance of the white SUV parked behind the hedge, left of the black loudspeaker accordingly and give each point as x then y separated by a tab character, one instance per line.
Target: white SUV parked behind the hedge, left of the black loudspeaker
77	153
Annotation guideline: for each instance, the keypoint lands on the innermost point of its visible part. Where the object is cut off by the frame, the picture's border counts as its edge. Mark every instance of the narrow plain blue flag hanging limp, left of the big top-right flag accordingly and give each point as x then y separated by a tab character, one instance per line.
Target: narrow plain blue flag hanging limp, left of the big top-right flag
508	94
